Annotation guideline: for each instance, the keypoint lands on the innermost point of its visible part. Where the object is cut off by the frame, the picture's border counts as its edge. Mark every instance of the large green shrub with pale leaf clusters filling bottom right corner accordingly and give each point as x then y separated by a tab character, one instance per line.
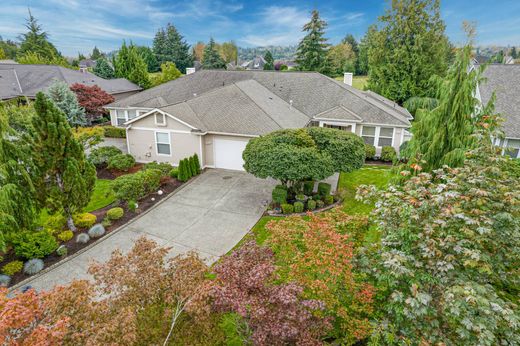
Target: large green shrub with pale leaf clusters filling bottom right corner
448	266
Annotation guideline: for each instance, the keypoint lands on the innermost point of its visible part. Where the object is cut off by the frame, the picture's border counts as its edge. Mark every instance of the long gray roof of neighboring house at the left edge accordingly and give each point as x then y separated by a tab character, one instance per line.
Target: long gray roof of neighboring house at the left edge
27	80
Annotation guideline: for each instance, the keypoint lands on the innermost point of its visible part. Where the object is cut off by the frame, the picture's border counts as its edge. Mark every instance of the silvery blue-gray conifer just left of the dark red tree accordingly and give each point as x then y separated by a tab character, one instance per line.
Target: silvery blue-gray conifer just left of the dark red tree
65	99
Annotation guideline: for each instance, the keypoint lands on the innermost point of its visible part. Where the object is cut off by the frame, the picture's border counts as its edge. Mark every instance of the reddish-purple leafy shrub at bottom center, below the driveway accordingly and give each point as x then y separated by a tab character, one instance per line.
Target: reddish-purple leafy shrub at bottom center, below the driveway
275	314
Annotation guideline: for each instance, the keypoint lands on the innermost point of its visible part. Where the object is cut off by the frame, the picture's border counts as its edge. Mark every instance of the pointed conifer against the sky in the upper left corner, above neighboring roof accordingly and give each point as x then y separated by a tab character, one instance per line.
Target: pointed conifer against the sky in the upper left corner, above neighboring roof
36	41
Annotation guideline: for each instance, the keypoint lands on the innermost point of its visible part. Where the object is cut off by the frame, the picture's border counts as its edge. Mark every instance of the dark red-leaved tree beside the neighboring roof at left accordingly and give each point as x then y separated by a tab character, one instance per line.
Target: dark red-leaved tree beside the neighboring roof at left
92	99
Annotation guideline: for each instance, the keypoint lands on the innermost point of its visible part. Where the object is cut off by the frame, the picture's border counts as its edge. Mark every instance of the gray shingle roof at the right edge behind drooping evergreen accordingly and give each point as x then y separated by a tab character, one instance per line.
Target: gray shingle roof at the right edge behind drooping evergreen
504	80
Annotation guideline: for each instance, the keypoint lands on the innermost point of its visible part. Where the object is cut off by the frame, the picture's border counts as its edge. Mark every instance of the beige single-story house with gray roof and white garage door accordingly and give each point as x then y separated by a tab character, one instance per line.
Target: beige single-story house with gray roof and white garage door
214	113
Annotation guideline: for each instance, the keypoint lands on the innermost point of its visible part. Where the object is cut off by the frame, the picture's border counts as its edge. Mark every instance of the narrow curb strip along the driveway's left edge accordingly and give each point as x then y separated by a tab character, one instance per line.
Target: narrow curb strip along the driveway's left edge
85	249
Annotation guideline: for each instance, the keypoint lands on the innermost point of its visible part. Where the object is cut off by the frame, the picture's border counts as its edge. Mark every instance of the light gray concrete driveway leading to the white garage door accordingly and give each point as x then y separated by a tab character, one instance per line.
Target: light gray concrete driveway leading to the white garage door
210	215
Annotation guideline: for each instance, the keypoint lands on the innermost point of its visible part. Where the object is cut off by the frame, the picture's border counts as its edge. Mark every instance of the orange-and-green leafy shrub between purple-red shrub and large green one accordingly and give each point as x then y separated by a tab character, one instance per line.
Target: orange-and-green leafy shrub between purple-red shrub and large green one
318	254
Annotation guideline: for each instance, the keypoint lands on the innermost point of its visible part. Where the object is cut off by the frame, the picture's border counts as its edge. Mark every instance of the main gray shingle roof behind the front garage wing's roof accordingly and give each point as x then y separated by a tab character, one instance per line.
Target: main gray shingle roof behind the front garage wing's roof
311	93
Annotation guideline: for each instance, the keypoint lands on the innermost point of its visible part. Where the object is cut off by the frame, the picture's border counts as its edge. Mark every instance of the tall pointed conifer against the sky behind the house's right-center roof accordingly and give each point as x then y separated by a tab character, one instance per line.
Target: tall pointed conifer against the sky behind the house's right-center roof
312	50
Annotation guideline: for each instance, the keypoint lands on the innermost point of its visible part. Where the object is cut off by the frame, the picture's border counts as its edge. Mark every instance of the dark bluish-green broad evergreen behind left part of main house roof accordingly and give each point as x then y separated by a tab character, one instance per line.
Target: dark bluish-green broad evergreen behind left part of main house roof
169	45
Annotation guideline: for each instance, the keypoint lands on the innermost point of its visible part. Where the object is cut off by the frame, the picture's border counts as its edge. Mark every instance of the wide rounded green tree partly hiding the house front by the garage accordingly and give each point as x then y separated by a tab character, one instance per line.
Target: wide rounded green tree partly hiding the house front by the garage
295	155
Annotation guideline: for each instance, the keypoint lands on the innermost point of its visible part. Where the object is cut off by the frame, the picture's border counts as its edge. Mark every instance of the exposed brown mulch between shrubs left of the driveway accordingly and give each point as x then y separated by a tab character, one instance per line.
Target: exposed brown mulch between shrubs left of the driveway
168	185
